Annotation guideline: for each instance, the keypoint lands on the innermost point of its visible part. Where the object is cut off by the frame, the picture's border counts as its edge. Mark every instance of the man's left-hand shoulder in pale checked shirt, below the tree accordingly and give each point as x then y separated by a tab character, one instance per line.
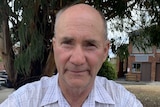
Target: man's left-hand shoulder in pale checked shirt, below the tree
32	94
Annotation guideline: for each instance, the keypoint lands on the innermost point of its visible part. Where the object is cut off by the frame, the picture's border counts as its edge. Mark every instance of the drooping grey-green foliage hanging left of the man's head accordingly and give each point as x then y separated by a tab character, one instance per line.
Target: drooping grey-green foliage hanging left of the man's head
29	29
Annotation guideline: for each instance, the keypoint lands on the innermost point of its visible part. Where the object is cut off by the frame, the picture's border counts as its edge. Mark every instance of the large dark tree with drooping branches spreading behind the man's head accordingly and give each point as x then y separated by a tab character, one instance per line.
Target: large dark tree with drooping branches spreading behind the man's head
33	23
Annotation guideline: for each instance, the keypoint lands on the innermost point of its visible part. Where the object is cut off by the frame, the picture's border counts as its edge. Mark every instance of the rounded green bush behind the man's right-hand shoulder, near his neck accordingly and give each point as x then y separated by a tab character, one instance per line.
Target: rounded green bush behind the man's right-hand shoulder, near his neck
107	70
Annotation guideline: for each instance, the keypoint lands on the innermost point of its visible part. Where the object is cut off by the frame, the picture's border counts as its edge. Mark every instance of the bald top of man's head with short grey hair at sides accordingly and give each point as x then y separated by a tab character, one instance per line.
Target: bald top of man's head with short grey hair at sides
79	12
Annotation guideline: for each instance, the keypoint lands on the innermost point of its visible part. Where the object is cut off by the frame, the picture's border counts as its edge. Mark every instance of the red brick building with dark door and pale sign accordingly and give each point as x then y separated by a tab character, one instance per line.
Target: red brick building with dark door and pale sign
143	66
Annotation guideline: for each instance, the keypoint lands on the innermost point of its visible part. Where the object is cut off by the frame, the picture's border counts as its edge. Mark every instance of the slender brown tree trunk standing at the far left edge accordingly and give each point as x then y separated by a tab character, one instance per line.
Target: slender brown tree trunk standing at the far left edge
7	51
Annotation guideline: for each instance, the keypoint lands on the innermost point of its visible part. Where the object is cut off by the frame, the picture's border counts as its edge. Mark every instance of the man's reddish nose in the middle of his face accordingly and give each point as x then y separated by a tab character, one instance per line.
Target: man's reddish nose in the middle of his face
78	56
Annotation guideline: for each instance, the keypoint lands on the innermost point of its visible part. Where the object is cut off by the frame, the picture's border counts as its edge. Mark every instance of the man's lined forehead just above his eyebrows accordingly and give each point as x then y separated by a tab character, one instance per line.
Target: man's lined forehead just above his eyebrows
79	29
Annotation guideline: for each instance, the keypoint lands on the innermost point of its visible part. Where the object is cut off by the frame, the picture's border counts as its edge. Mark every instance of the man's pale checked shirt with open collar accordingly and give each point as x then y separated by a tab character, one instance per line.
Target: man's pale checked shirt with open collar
46	93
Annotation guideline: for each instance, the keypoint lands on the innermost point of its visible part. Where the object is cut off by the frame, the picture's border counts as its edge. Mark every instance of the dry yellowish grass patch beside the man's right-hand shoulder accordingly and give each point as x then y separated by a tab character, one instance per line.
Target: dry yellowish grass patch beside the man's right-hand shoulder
149	95
